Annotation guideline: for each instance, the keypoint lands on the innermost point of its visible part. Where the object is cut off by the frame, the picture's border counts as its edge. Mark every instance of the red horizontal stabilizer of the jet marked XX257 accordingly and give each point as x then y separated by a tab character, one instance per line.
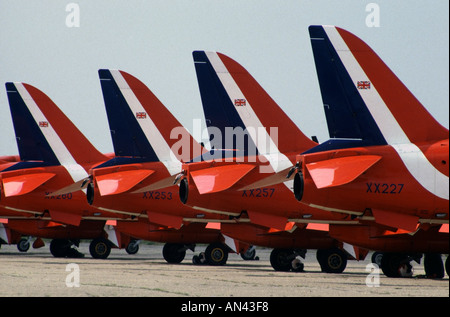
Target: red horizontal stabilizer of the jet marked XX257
216	179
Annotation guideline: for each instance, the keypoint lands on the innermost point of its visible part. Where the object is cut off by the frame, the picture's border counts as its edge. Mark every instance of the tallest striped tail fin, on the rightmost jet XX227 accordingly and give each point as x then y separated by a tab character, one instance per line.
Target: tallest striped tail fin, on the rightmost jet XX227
363	99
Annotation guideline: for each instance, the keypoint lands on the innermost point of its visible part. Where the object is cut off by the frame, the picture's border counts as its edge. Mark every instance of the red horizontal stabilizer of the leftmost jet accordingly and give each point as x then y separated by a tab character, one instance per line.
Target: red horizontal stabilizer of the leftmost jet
23	184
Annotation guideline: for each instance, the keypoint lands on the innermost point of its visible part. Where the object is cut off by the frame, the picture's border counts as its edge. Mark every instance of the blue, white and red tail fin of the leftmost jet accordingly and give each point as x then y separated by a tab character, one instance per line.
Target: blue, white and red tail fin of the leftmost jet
43	132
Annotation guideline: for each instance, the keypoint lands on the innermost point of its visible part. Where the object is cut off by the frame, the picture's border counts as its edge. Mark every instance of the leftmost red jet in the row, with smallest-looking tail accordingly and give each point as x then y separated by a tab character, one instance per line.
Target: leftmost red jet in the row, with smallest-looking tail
53	154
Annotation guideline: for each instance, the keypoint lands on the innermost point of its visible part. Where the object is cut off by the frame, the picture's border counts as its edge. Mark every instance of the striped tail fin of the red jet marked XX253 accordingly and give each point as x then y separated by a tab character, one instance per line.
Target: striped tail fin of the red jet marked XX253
141	126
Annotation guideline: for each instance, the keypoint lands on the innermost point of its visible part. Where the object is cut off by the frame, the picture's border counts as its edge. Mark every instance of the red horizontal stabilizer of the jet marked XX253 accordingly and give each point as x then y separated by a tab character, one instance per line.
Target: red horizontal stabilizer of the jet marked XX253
119	182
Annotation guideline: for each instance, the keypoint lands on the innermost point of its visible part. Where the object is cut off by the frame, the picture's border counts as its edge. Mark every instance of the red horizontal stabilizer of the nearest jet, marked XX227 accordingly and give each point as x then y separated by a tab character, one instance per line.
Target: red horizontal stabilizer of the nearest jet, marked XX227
340	171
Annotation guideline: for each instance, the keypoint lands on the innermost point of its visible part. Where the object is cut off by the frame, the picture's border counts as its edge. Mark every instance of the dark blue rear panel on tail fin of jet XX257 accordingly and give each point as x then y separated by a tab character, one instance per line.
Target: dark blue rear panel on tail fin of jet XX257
219	110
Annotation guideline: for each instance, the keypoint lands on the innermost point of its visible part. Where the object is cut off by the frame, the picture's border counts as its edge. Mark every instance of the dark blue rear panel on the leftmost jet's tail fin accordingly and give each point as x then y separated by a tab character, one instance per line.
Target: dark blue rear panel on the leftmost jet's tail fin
31	142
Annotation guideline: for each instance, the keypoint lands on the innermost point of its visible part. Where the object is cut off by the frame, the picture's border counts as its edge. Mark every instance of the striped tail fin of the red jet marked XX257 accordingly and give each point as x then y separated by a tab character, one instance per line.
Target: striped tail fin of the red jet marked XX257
232	98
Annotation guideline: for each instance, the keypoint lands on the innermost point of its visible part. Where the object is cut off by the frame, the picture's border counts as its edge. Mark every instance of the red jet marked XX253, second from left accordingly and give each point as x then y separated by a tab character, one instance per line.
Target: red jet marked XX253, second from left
149	145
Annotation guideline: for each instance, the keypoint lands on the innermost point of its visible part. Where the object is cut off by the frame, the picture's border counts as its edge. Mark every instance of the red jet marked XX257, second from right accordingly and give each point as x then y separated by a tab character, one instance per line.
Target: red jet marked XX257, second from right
244	182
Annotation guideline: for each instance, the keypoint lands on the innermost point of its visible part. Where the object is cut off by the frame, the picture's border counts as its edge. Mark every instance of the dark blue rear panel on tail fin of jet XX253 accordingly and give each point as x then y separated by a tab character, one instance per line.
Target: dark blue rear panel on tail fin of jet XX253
127	136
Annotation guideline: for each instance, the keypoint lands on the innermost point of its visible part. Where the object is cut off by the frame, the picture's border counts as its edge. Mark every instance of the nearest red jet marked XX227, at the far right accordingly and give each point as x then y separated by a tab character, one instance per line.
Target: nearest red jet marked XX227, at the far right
386	163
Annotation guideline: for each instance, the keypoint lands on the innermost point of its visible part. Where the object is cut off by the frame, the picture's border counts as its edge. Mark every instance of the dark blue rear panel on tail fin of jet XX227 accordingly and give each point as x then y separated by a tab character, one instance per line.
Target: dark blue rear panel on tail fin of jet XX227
346	113
